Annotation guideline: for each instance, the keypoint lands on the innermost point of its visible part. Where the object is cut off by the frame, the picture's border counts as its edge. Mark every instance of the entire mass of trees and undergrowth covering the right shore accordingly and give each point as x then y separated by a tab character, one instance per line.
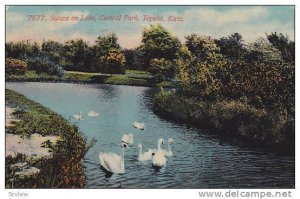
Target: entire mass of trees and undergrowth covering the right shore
244	92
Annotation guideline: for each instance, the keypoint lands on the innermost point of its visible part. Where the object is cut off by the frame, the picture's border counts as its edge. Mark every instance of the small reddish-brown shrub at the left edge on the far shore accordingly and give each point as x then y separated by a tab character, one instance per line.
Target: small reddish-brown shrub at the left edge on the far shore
15	66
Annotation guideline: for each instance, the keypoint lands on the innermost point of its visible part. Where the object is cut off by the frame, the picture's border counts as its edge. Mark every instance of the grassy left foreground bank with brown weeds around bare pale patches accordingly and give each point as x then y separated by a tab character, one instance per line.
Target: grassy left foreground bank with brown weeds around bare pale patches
64	169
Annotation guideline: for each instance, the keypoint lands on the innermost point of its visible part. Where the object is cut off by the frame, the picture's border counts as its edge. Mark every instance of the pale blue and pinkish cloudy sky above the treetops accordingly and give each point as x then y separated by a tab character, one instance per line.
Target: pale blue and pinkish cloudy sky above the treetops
251	22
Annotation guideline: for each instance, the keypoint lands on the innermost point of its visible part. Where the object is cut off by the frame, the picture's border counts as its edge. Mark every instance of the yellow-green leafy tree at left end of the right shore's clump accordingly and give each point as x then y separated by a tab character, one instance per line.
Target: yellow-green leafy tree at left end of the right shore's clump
205	74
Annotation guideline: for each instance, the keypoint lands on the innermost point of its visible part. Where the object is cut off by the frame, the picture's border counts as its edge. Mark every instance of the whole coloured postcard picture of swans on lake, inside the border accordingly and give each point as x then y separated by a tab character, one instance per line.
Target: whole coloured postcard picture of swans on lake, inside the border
150	97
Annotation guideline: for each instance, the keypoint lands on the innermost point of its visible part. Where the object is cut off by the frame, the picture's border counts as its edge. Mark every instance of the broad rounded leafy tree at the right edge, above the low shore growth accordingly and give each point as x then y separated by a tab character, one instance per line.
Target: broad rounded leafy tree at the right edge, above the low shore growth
264	78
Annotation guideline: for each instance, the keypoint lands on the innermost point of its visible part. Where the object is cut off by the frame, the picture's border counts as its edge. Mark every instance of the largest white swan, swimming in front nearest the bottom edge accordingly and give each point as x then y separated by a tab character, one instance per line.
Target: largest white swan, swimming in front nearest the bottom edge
113	163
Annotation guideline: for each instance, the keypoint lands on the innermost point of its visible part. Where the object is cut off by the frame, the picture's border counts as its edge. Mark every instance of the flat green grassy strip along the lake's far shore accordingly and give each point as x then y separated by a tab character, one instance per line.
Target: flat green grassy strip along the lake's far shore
131	77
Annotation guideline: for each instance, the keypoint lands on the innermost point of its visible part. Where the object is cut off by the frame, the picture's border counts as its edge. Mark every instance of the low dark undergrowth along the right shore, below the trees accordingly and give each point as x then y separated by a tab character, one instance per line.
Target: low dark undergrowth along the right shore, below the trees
240	122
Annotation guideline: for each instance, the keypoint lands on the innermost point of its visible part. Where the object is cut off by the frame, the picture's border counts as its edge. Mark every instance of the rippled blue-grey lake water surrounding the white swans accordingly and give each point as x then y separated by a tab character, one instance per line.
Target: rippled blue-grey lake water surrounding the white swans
199	161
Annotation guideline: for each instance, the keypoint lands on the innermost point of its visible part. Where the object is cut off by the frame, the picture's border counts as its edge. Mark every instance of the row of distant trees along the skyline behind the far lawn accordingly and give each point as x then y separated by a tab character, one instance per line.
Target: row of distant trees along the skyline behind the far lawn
158	52
